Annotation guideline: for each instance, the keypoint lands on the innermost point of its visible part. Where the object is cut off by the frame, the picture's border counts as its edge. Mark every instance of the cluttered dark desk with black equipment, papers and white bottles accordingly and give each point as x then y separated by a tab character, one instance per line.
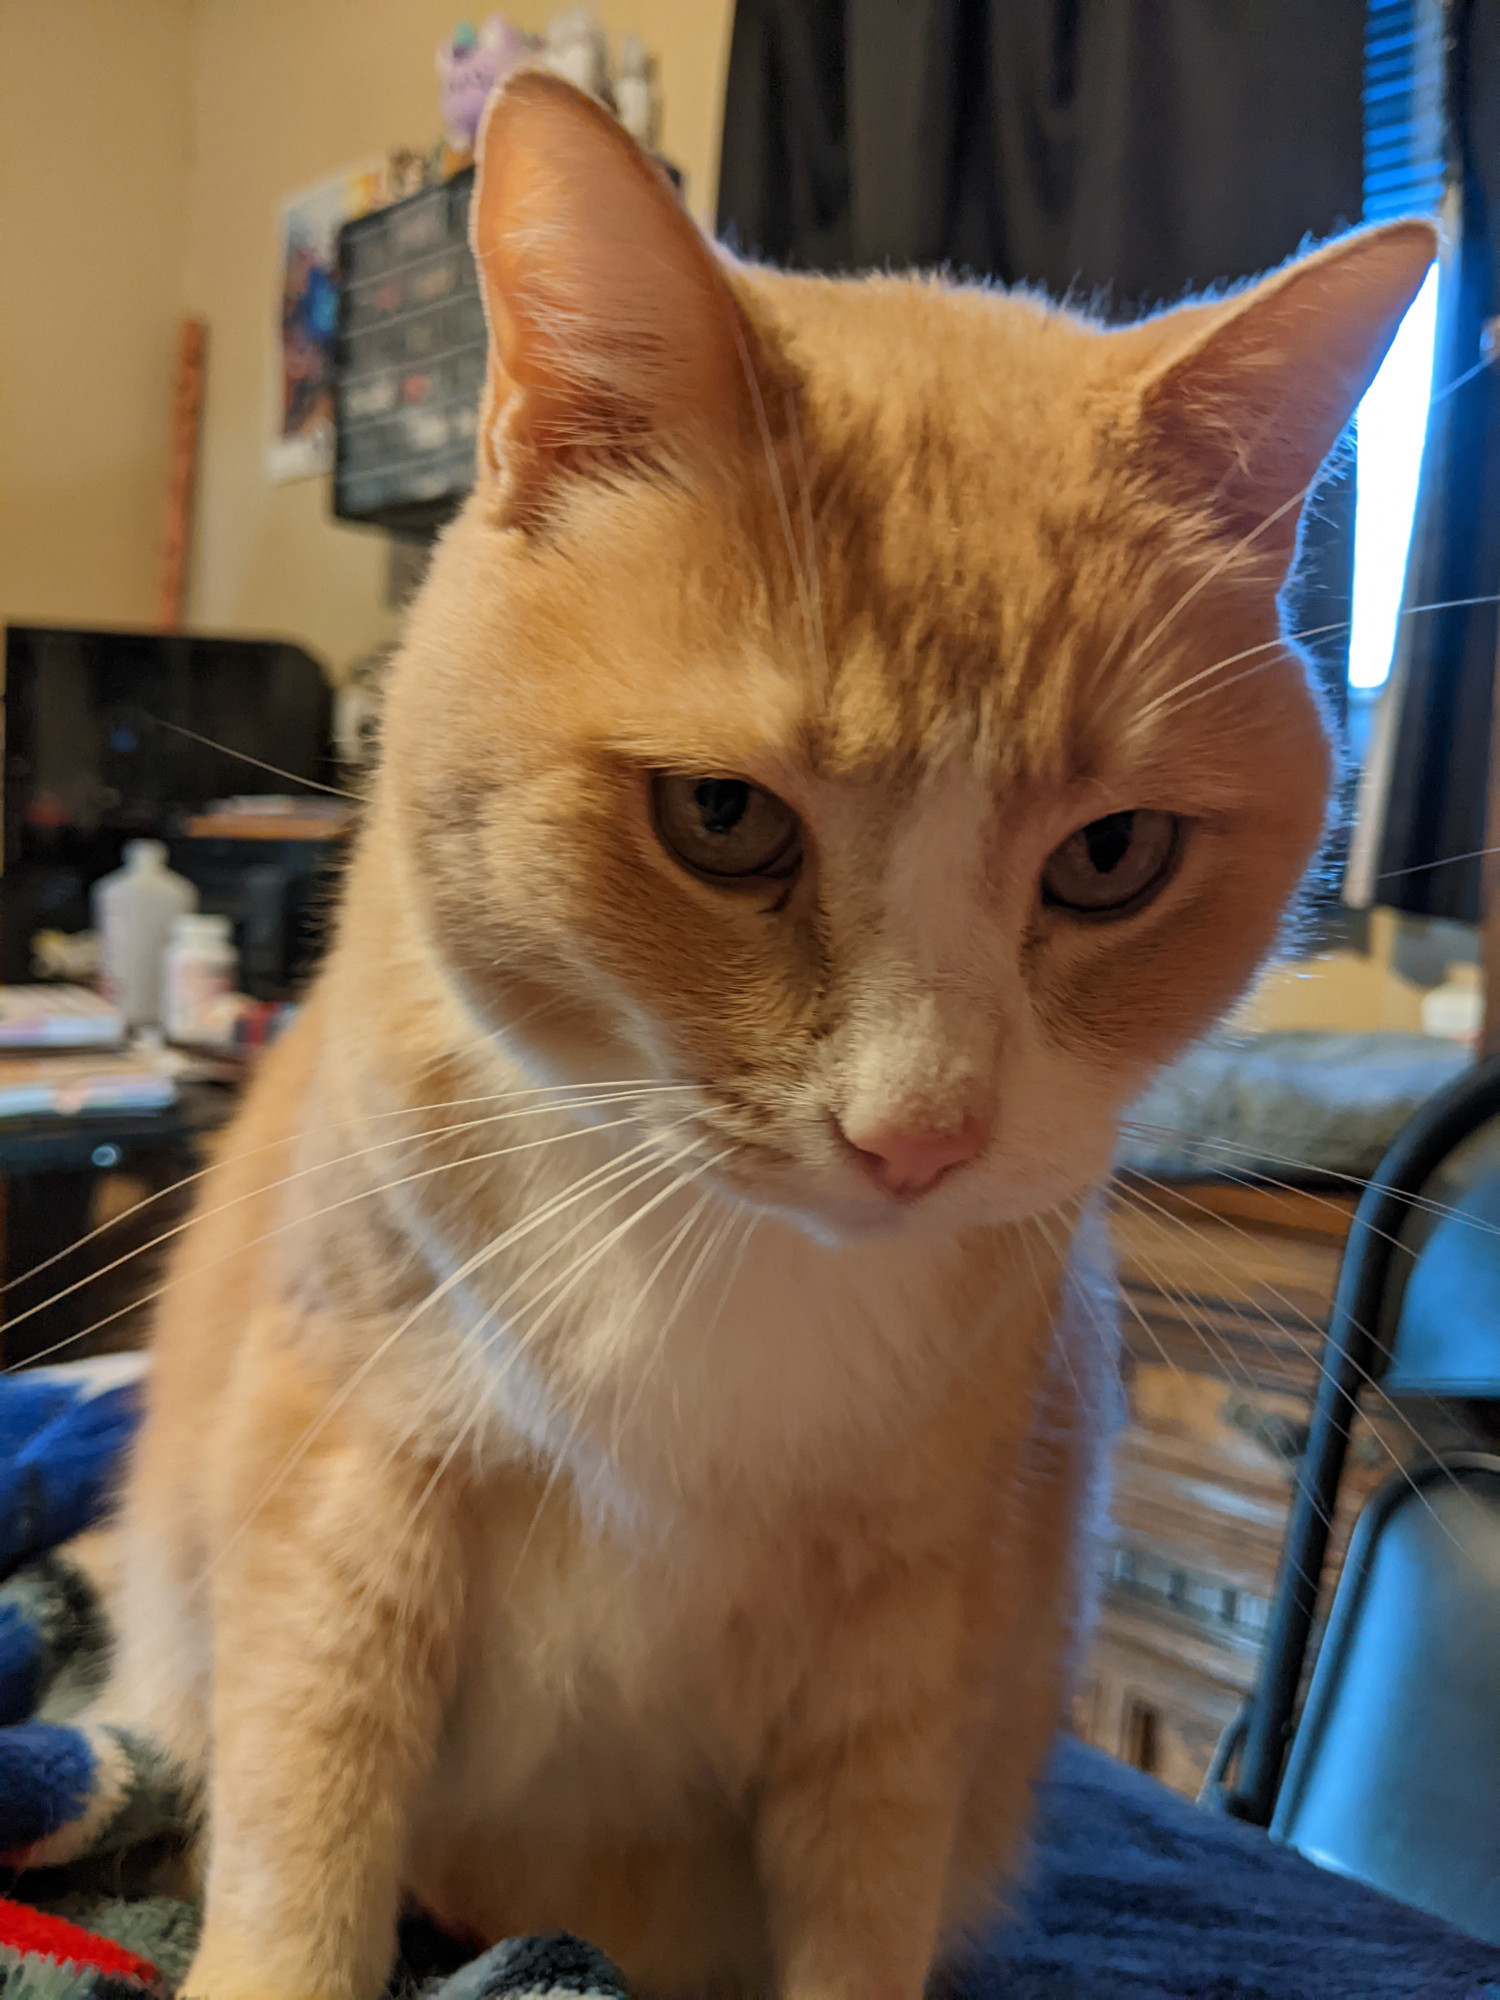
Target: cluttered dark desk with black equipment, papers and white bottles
173	839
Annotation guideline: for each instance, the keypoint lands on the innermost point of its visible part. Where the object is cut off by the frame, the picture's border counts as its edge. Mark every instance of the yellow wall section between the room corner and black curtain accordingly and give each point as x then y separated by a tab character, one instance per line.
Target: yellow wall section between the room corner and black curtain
287	93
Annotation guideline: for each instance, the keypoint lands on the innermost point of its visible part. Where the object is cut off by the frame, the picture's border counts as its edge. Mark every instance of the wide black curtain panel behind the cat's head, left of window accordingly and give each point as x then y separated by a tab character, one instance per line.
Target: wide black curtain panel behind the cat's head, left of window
1121	153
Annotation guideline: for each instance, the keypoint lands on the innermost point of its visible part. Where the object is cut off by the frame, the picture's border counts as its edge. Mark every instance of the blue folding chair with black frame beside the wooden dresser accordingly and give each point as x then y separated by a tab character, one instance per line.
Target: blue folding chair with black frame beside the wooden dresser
1391	1773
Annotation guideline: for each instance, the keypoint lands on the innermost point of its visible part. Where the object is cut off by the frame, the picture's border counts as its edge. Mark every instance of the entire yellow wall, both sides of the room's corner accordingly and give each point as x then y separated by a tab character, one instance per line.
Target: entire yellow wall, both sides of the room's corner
145	149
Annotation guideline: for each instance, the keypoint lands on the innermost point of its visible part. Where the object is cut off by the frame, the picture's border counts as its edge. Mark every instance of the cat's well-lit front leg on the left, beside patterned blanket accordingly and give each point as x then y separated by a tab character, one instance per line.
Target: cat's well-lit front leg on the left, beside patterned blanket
335	1625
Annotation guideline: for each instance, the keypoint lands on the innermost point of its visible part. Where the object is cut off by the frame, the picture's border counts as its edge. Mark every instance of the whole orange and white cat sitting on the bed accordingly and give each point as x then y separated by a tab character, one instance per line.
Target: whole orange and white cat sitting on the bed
845	745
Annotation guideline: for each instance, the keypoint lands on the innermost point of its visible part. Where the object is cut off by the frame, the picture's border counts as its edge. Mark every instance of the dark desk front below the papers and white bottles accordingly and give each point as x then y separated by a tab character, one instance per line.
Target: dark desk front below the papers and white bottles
51	1169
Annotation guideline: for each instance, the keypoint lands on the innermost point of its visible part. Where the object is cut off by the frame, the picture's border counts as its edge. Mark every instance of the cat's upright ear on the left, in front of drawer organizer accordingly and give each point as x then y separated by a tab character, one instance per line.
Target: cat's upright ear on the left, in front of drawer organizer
615	337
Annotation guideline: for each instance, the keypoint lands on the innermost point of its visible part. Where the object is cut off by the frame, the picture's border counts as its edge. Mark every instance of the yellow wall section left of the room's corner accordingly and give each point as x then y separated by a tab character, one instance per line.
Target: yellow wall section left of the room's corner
95	133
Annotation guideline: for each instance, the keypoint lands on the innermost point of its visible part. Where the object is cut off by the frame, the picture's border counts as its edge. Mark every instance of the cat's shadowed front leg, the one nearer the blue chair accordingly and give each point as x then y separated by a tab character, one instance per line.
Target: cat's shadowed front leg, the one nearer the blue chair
859	1813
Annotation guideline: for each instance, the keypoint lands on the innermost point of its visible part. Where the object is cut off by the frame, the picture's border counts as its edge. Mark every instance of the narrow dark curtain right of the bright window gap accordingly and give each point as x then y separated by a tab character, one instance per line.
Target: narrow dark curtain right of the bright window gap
1439	783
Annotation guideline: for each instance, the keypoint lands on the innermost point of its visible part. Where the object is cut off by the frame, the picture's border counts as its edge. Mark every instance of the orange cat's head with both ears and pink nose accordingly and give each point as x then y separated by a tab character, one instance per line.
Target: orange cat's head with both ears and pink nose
865	701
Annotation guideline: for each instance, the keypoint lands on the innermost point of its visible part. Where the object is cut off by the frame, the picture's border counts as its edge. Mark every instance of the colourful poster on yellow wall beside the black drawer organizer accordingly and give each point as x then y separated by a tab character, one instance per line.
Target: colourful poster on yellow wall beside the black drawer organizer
309	319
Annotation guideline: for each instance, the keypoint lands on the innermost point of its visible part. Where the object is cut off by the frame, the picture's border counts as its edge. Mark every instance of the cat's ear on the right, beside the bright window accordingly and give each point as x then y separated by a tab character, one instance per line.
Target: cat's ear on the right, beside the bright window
1255	391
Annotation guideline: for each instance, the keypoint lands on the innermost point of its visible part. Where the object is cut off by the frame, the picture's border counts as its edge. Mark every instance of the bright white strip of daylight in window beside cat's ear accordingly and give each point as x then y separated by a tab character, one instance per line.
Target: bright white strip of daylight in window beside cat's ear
1389	459
